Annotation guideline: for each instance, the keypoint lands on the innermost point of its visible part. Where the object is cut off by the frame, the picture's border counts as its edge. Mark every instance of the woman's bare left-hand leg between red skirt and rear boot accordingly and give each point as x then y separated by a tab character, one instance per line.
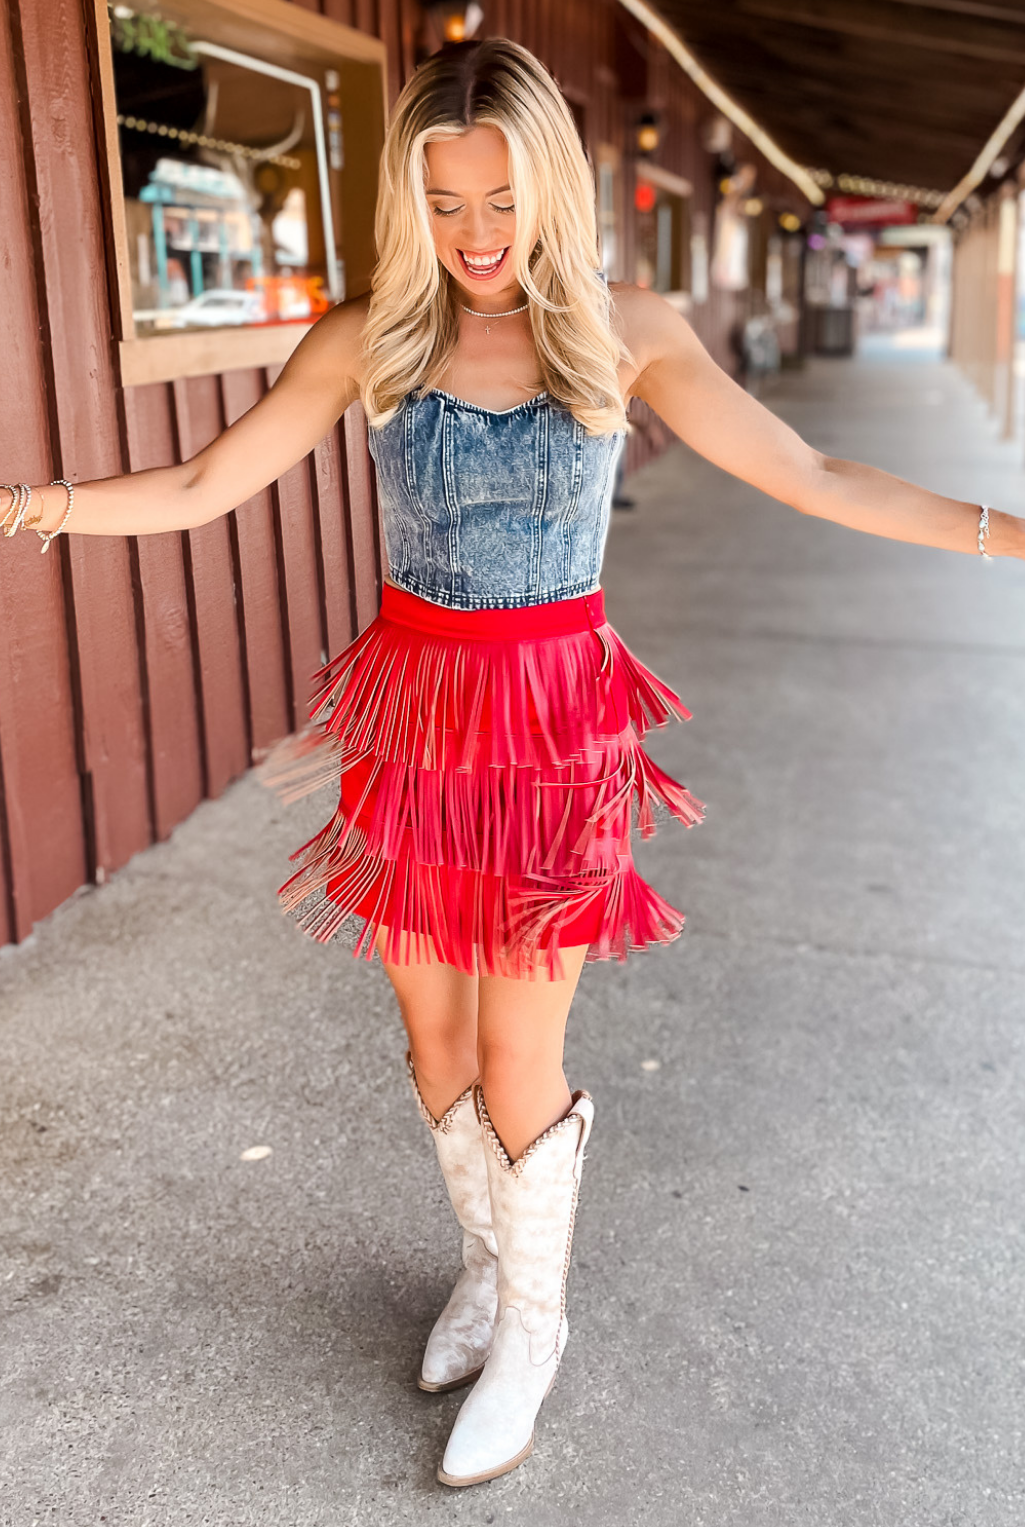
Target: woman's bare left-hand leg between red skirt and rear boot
439	1012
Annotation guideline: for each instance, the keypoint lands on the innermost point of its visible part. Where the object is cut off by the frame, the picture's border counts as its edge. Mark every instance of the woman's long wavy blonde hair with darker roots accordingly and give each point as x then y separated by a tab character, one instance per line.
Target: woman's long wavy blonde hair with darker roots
412	324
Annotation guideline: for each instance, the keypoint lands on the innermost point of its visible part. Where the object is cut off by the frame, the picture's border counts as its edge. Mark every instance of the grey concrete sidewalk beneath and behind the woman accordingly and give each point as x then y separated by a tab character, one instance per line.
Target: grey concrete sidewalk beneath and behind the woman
800	1270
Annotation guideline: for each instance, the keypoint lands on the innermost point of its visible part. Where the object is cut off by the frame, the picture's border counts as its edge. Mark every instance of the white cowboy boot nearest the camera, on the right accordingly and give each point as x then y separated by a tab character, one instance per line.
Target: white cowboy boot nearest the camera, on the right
534	1207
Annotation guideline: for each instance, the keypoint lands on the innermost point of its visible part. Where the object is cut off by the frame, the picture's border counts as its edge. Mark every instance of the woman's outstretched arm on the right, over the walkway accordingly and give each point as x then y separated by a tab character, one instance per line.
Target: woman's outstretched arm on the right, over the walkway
728	427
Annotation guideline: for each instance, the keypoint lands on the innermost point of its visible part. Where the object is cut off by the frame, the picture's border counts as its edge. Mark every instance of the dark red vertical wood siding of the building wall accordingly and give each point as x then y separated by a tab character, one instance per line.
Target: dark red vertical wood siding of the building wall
140	676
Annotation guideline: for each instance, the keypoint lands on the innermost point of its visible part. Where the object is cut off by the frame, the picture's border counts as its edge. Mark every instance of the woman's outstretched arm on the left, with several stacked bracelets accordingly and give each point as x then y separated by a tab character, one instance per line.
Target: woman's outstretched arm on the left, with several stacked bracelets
315	389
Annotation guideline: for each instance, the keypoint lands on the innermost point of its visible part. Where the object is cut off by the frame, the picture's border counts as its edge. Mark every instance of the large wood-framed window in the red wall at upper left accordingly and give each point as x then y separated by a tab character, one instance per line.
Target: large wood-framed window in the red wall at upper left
239	215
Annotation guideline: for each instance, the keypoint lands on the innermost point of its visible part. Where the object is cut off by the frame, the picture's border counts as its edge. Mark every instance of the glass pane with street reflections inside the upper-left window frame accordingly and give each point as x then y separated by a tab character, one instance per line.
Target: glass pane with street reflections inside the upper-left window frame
231	178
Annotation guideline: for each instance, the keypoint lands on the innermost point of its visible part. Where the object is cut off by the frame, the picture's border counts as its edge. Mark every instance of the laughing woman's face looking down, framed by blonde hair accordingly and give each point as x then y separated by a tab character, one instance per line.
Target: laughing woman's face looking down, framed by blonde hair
473	215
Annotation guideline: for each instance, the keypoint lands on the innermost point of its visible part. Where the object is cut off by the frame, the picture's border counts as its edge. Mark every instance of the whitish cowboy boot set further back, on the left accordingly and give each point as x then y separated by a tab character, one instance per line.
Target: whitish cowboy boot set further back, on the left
464	1332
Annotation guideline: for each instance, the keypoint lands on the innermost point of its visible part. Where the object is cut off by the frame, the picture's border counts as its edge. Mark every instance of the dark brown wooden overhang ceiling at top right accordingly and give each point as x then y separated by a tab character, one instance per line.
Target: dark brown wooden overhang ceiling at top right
899	91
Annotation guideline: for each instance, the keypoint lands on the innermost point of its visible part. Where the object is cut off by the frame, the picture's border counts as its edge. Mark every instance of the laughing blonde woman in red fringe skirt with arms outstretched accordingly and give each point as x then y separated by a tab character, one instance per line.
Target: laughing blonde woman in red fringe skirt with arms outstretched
485	729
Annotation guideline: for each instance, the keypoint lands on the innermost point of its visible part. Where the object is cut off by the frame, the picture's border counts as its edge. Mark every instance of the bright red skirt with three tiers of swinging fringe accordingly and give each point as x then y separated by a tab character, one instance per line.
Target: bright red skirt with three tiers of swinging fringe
490	773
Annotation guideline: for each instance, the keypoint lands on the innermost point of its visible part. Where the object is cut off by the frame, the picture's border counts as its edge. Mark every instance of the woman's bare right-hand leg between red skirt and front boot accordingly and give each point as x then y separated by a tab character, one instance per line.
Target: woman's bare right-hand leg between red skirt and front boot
520	1039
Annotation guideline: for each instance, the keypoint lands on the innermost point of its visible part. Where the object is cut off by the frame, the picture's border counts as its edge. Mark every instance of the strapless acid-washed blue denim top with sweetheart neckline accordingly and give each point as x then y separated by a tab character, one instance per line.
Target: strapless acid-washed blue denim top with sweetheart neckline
493	509
